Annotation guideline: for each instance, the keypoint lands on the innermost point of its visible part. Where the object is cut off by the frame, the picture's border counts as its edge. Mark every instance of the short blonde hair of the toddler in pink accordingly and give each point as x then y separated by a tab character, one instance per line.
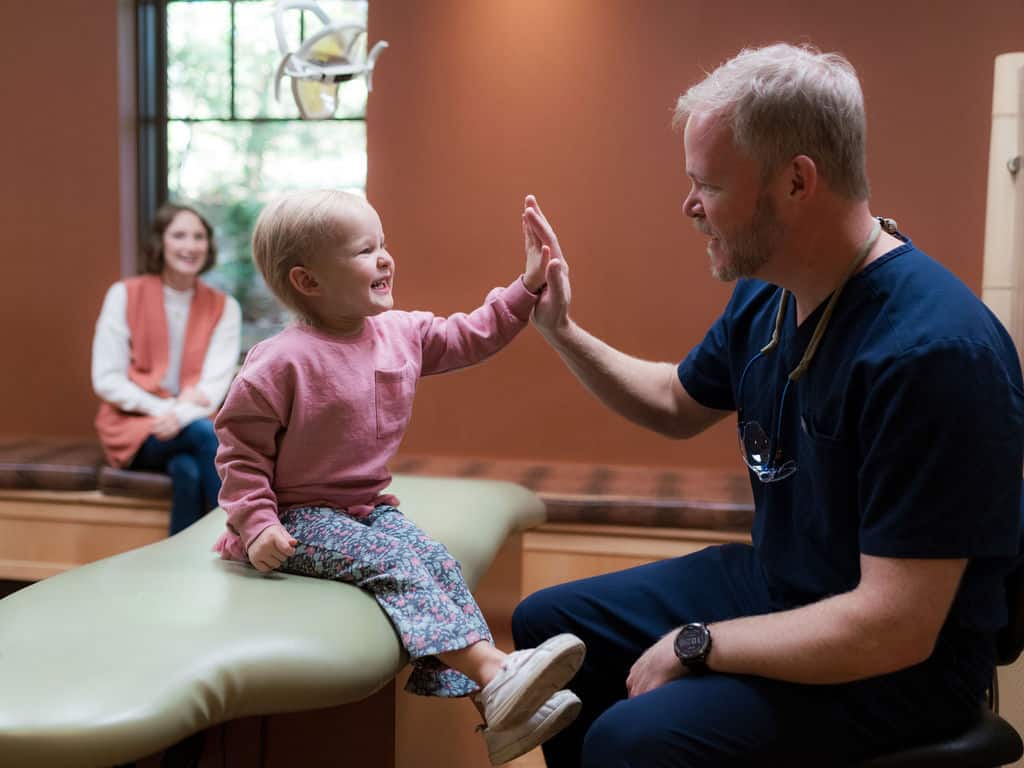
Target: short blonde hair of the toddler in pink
290	232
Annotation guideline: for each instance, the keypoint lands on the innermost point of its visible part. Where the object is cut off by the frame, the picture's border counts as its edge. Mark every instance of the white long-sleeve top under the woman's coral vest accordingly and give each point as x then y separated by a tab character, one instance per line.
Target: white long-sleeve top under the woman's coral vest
112	356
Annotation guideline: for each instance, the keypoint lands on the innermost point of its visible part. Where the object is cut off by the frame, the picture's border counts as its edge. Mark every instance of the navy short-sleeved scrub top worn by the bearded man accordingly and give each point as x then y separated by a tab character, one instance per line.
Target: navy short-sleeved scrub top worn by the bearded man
908	431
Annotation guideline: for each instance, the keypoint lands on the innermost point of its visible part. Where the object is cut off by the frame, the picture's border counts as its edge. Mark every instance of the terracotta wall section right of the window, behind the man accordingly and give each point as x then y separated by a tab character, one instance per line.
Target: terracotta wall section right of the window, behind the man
477	104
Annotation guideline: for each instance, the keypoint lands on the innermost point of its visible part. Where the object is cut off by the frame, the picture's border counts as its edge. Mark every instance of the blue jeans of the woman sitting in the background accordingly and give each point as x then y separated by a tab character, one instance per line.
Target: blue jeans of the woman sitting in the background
188	458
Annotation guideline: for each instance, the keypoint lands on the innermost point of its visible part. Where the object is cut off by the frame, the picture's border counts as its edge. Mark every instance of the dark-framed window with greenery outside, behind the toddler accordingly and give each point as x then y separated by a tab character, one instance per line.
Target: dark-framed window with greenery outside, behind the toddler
214	136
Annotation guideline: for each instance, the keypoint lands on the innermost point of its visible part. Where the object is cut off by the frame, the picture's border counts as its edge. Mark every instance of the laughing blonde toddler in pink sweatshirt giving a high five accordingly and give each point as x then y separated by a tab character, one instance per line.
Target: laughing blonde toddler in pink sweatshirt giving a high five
309	428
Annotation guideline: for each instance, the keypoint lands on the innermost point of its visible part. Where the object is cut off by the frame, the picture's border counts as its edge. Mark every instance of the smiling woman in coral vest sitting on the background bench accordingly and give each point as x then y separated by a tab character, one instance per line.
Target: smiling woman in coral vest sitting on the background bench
164	353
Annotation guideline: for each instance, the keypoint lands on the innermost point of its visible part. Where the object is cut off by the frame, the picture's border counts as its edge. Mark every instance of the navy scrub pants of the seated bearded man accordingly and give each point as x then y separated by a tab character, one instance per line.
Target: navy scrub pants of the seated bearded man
724	720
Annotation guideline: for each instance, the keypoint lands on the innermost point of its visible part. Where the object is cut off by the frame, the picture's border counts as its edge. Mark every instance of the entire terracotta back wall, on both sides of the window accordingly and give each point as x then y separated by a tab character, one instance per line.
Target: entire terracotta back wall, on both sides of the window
476	104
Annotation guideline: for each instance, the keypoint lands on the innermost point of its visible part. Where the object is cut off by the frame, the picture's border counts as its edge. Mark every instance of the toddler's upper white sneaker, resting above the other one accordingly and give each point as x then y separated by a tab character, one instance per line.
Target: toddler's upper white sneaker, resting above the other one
528	679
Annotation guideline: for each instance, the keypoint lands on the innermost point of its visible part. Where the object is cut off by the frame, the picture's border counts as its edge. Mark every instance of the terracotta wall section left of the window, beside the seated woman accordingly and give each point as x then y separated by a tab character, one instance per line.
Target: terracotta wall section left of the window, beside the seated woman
61	206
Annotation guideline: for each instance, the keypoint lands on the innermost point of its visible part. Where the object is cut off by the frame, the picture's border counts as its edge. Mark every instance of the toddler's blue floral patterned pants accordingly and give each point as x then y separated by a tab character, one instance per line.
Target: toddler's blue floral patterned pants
414	579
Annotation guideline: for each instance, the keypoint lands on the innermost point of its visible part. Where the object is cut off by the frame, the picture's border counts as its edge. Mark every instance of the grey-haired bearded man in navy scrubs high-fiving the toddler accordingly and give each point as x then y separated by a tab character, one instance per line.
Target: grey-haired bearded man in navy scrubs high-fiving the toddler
880	411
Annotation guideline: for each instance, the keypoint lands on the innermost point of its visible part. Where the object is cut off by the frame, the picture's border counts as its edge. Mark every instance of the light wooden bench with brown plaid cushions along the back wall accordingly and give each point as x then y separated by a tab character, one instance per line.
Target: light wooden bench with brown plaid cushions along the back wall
62	506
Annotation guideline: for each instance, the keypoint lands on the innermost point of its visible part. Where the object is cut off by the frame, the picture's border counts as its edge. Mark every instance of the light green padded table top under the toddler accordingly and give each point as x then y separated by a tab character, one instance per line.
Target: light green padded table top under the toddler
120	659
